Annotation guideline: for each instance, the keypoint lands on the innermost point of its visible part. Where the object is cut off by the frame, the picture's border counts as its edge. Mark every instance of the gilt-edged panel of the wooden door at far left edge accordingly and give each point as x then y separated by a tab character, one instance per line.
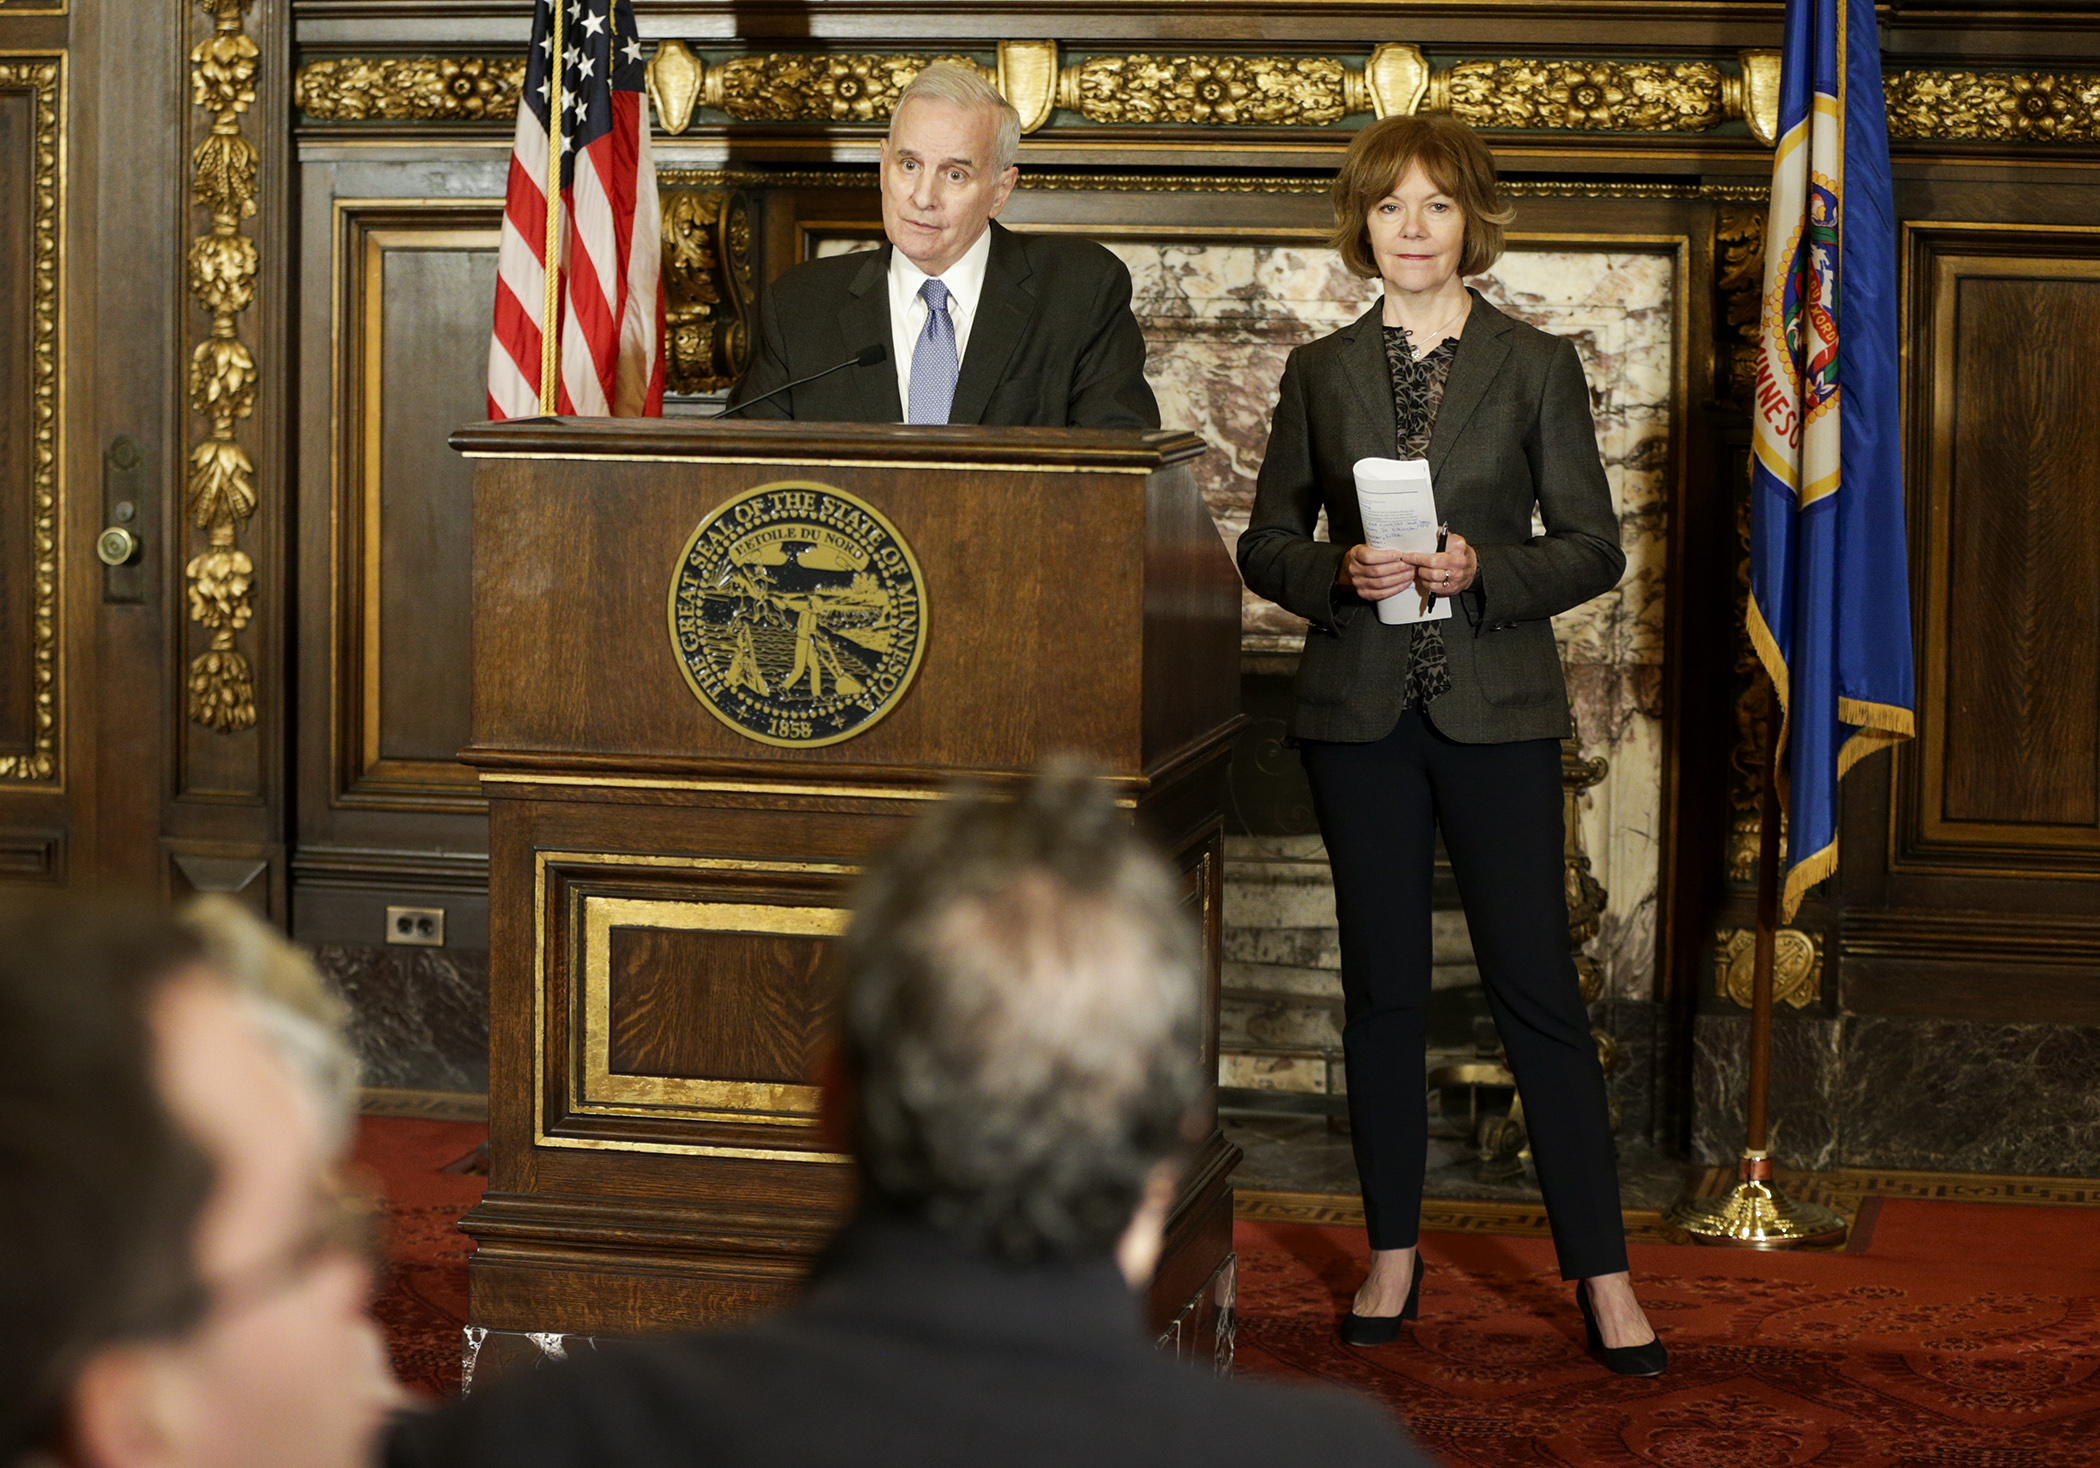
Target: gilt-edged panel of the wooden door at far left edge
30	488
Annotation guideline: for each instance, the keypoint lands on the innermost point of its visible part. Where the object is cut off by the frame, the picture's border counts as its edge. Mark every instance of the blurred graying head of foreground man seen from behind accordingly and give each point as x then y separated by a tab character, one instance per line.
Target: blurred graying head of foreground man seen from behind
1024	1028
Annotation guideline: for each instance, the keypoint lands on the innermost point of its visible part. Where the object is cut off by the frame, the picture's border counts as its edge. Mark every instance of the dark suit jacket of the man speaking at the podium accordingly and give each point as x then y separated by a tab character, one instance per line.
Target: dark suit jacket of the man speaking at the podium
1053	343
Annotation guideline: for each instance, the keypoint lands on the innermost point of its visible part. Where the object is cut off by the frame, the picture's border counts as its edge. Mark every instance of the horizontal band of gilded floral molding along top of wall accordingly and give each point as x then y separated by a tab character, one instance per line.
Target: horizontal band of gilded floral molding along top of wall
1223	89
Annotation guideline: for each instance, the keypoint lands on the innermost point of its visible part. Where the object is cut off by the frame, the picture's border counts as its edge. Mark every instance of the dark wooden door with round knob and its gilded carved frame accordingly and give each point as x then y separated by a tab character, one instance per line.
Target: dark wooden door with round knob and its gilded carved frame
138	740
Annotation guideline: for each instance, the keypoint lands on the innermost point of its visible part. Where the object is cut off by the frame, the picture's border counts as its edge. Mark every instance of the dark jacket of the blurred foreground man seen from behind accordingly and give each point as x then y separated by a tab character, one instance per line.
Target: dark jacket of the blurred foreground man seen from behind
906	1354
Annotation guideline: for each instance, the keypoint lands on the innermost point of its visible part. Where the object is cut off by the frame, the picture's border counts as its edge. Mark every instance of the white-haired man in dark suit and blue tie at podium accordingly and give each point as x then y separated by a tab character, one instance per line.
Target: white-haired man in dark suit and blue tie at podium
957	318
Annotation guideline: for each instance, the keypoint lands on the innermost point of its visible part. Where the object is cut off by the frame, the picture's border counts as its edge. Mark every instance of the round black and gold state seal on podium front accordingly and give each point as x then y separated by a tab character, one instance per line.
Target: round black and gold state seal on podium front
797	614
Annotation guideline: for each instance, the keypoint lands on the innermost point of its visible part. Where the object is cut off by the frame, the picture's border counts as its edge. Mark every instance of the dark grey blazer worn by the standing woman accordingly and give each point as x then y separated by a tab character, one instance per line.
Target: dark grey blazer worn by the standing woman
1513	434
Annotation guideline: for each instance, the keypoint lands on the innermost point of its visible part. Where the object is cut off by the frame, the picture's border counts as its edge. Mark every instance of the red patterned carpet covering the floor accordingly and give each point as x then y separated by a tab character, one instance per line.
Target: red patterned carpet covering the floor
1965	1337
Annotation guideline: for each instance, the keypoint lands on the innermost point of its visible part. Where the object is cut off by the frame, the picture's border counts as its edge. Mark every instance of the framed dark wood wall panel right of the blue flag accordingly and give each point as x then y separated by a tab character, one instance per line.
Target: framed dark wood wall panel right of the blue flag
2007	776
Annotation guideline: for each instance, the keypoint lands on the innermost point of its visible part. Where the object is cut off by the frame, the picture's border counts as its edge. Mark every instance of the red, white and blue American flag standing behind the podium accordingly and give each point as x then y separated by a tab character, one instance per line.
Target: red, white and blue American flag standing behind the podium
612	297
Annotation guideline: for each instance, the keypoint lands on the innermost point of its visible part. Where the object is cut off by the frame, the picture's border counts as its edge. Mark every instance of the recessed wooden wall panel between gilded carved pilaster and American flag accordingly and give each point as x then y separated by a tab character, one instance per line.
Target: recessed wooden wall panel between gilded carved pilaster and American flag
417	282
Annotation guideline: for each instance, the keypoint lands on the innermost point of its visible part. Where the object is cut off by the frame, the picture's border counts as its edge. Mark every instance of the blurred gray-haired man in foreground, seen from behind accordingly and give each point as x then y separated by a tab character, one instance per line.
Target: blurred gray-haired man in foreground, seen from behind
1020	1060
